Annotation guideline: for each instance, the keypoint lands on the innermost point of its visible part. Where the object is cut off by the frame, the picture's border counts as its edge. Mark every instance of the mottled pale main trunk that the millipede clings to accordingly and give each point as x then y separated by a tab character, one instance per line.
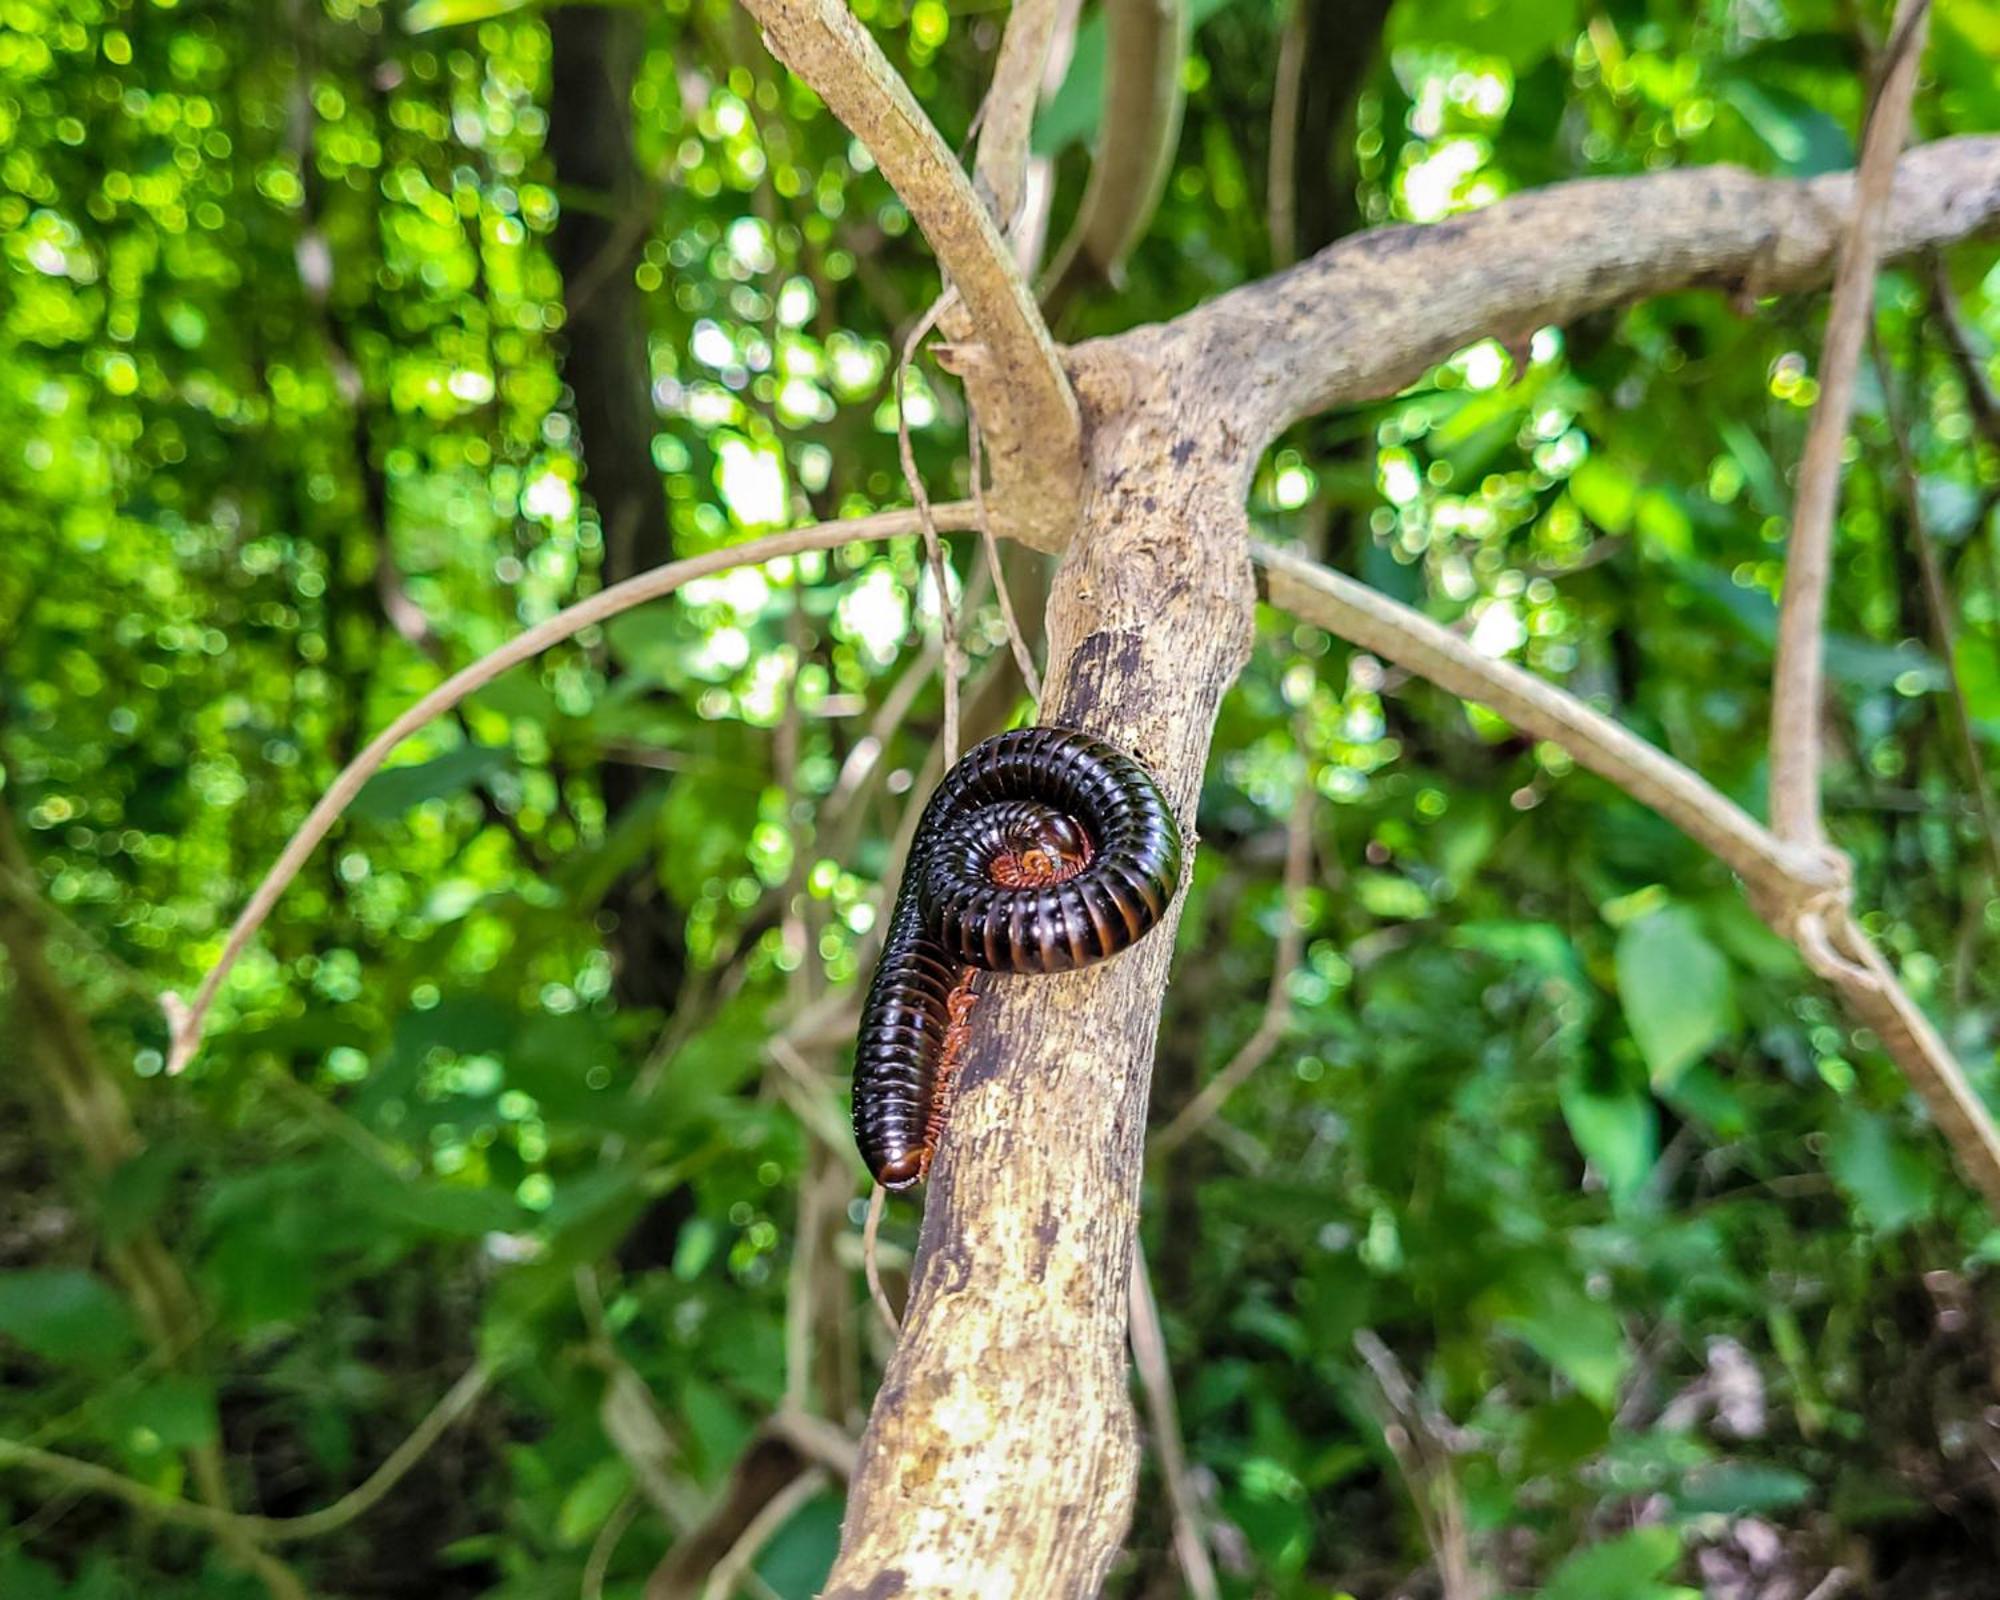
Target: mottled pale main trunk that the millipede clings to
1001	1457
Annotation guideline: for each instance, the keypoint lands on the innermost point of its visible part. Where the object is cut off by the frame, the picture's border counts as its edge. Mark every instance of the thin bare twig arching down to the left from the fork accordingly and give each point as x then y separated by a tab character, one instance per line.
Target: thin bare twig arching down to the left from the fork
189	1021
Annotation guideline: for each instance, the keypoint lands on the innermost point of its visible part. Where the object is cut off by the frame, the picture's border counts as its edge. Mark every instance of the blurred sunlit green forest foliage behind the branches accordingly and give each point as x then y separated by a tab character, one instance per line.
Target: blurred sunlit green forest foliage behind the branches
289	429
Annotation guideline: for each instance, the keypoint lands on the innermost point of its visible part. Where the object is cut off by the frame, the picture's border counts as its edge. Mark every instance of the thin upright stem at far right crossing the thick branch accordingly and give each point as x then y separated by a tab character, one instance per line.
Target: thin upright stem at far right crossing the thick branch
1797	679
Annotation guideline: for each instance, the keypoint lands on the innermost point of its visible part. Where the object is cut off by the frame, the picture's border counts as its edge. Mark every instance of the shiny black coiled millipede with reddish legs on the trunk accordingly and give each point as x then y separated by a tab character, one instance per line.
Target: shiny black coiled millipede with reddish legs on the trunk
1043	851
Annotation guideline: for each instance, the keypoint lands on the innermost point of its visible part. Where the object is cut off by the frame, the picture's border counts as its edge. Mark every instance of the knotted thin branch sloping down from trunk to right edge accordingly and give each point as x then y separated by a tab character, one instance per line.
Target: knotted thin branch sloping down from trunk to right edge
1799	891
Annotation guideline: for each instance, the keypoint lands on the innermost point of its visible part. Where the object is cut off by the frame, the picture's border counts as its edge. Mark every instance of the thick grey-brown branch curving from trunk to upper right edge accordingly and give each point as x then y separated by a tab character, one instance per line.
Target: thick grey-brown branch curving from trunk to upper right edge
1371	313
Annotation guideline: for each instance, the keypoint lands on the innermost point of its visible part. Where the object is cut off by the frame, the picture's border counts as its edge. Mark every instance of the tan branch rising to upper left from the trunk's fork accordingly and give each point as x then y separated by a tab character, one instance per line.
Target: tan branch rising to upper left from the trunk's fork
1019	387
